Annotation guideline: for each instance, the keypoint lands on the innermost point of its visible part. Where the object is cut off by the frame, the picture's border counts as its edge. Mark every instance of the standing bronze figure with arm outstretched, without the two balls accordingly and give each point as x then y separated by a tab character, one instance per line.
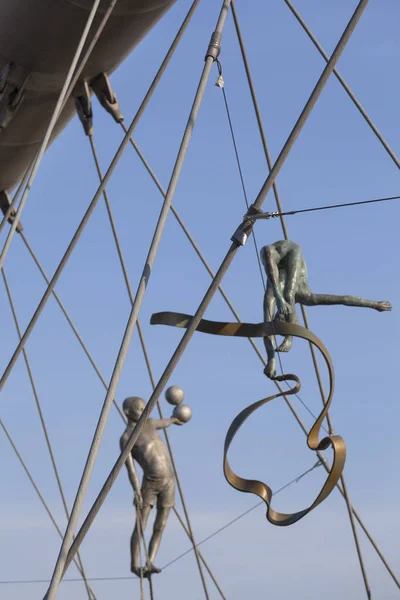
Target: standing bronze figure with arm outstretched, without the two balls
158	486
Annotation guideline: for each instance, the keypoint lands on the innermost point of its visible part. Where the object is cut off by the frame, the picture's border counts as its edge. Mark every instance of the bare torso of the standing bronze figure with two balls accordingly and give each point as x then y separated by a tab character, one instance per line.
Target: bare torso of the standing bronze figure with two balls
150	452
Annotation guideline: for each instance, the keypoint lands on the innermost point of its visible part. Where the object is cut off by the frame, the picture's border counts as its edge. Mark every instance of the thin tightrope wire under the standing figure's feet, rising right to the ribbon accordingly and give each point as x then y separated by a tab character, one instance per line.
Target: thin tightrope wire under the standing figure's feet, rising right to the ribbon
179	557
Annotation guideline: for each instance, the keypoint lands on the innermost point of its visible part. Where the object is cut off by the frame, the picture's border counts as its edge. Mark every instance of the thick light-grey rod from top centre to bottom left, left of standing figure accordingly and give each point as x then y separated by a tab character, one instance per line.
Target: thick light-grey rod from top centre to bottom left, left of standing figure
66	545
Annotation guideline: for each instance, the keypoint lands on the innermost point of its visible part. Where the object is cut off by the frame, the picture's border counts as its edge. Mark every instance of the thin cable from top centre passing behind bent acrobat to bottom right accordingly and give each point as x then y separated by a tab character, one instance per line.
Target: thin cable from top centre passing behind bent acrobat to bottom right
304	313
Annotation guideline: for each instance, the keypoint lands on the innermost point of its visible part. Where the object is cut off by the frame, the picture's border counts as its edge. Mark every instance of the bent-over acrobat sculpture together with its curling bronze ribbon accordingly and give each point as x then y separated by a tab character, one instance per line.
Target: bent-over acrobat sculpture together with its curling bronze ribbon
287	285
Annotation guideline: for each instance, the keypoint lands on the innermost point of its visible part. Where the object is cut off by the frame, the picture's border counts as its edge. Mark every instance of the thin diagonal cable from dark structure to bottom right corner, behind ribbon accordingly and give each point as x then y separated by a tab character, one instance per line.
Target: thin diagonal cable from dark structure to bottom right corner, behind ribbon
256	349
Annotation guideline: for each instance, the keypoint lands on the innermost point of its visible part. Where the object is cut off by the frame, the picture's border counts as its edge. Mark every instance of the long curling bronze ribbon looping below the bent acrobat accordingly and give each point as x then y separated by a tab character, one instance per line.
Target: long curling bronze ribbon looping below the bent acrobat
335	441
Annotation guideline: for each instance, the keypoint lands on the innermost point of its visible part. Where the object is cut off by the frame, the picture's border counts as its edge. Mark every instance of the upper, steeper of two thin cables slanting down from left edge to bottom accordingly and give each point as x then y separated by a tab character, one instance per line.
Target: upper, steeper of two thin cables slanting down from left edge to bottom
90	593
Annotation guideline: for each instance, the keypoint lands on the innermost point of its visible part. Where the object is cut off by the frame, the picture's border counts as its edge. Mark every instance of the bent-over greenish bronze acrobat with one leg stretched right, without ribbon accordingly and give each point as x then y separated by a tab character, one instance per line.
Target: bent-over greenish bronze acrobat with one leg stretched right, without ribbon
287	285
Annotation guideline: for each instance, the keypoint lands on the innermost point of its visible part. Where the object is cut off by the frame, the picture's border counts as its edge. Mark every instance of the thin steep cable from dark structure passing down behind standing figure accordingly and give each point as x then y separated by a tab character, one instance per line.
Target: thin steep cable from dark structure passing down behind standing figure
146	357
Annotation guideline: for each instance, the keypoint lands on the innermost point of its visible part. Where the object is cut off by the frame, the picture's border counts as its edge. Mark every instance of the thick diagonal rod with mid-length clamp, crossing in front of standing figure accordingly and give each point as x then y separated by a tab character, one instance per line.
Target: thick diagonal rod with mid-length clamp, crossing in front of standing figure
239	238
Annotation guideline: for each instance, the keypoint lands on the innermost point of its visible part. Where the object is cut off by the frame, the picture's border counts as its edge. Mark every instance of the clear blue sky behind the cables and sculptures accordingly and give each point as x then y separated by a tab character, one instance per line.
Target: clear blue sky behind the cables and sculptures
354	251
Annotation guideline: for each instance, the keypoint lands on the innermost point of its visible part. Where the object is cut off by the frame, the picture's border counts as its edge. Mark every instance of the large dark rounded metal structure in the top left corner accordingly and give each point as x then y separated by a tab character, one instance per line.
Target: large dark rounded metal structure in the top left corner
37	41
